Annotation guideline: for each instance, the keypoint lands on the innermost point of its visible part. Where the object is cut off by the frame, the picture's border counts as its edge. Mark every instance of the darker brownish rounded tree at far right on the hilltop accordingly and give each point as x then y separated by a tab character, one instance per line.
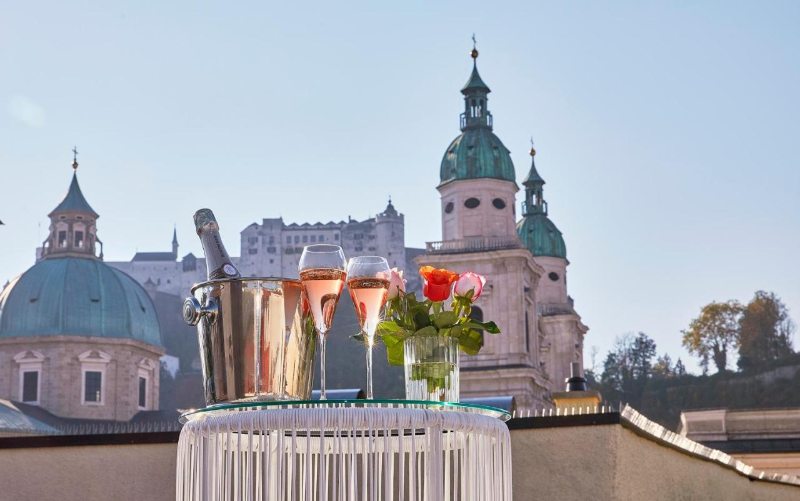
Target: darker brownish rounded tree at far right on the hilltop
765	331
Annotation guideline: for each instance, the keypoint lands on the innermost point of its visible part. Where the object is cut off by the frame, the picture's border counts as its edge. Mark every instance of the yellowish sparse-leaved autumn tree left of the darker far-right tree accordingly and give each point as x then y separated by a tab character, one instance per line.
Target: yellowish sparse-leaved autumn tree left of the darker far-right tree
714	333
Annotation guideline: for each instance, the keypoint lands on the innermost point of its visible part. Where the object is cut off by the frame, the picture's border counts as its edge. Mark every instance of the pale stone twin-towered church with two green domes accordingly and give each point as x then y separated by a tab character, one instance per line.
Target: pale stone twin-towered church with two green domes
525	262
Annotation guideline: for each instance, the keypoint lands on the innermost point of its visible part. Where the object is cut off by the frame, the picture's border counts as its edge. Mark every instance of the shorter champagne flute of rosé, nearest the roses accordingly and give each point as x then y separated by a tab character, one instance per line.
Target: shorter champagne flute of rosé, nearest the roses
368	281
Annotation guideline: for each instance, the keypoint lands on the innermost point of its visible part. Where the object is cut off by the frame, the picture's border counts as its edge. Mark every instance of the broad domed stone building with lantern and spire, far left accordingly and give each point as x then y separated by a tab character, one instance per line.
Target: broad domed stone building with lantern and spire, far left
78	338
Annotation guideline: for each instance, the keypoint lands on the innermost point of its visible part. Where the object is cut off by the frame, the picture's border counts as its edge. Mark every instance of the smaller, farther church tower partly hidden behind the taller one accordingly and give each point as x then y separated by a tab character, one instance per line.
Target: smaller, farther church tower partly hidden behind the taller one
561	327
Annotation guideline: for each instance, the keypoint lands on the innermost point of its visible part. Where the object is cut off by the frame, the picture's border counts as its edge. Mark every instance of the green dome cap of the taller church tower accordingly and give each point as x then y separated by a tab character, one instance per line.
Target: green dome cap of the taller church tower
477	153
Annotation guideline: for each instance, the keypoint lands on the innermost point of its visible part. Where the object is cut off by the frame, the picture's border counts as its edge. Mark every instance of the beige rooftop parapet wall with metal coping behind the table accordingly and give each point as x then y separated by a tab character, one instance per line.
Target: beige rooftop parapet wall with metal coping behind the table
599	457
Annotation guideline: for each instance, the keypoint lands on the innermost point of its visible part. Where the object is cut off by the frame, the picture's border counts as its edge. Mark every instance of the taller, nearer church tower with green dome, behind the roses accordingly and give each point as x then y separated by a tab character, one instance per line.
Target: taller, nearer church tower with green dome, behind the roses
477	188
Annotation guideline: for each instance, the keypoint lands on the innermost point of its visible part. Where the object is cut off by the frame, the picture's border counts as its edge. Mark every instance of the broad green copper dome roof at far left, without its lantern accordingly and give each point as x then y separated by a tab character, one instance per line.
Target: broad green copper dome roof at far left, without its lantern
74	296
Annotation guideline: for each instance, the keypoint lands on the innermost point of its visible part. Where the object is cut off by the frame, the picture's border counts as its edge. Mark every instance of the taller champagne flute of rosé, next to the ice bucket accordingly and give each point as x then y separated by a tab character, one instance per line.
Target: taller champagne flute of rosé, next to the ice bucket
322	273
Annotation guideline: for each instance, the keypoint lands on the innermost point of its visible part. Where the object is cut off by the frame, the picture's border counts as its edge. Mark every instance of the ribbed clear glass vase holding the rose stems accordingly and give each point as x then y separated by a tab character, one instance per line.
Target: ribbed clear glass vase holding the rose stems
431	368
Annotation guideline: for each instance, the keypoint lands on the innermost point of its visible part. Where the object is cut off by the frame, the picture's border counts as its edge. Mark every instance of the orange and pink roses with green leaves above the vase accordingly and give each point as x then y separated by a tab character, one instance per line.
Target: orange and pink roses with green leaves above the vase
406	316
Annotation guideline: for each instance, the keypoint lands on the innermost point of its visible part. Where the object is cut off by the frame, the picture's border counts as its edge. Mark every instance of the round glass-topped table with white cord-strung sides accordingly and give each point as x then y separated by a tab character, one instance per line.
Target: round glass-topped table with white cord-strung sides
344	450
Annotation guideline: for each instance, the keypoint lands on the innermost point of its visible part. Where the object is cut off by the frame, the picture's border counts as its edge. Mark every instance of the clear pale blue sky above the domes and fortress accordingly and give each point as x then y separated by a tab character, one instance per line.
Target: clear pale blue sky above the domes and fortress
668	134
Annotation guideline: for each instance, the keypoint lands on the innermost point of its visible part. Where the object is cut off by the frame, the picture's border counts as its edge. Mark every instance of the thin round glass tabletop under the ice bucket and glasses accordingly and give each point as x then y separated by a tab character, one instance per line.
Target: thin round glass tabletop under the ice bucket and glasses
217	409
